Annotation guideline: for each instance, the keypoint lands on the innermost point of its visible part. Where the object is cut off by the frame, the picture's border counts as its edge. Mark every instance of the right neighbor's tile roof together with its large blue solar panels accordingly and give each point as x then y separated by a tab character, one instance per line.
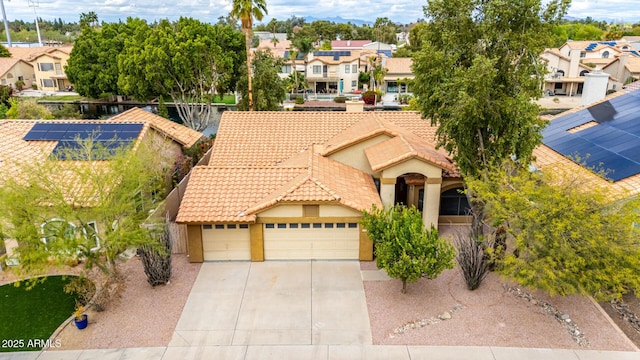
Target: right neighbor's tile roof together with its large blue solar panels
604	135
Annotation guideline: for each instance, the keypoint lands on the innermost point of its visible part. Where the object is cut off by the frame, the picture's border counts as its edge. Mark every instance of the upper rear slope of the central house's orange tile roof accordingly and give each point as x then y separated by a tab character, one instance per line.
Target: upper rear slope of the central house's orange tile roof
271	138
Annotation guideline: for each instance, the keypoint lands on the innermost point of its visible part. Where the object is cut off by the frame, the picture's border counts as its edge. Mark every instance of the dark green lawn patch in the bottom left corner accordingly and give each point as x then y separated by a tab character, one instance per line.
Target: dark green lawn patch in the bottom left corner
29	317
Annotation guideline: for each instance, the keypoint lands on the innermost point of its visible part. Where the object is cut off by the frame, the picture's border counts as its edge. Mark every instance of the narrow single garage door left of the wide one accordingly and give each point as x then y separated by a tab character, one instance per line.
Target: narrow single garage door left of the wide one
226	242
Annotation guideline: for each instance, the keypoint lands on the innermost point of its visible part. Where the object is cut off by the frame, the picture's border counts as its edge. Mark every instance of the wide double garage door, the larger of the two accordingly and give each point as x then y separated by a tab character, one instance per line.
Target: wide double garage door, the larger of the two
311	241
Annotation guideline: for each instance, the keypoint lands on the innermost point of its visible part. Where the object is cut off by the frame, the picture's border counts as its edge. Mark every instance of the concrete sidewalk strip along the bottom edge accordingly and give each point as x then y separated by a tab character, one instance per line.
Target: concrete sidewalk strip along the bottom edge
325	352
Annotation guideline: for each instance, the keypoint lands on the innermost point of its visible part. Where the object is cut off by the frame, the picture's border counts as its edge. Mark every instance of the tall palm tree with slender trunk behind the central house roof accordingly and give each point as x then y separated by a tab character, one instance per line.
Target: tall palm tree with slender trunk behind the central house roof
246	11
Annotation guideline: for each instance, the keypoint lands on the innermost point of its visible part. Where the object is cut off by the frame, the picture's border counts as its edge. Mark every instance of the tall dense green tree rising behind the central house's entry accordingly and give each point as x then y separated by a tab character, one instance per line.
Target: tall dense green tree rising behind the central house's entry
477	72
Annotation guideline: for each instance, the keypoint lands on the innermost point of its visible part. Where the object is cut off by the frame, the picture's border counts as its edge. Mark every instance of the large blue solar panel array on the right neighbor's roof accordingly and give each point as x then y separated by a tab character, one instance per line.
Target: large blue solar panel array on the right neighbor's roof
613	145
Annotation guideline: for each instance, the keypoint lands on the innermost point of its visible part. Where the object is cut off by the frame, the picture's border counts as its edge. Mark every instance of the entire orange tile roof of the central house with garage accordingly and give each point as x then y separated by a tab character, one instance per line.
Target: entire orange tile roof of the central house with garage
262	159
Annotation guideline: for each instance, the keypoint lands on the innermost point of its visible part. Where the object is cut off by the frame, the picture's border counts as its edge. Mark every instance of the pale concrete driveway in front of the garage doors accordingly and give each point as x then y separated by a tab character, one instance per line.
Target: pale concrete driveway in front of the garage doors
275	303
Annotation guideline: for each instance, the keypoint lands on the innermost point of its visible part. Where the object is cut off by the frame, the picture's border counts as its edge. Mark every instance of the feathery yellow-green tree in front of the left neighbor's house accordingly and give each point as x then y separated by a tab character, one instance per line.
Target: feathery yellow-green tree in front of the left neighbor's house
59	200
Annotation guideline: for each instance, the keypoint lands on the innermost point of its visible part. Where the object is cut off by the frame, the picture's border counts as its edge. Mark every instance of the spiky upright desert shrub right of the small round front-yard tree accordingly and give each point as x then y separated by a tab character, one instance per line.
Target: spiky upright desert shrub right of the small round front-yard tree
474	263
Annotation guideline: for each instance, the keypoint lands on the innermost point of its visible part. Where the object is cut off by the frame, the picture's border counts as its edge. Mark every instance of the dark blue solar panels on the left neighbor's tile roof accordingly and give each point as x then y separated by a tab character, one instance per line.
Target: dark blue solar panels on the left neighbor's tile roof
107	138
